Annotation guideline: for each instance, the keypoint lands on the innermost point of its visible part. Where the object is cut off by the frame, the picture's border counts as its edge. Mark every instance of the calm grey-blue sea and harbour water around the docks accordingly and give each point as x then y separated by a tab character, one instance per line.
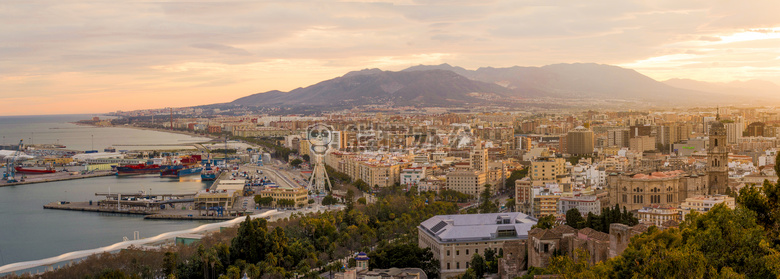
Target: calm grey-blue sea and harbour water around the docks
29	232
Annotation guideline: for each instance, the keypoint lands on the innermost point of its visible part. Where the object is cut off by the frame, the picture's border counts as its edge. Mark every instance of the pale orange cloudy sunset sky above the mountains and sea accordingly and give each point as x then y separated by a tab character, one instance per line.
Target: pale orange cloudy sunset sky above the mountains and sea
65	56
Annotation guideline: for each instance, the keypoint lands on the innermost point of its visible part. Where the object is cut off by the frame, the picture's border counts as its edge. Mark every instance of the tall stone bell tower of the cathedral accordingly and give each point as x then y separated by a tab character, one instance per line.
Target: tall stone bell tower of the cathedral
717	159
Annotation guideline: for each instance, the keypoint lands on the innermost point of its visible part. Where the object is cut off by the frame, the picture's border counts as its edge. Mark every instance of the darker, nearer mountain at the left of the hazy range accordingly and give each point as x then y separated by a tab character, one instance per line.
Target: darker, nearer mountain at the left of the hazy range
374	86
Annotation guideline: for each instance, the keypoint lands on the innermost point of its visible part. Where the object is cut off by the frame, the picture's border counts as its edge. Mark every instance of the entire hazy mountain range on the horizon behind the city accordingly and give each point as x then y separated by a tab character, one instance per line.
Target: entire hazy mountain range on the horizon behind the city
446	85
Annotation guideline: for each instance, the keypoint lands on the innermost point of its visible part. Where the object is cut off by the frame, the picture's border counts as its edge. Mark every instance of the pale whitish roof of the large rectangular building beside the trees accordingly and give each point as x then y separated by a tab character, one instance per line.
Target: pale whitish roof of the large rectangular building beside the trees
478	227
